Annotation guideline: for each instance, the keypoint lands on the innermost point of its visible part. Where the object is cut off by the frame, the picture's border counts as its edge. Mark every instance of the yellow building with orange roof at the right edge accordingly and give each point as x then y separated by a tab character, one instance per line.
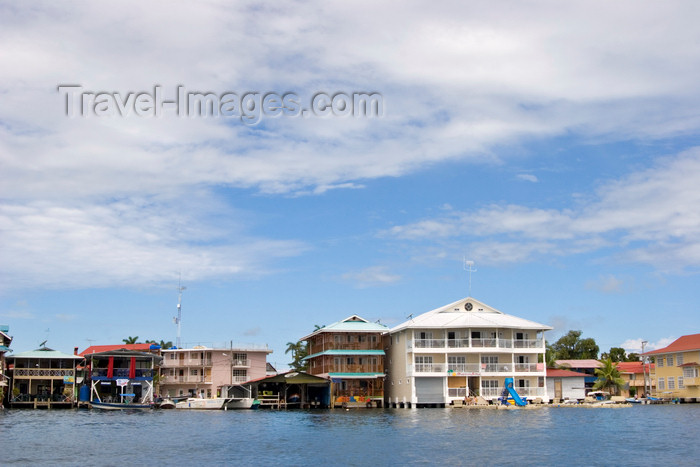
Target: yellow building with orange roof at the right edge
677	369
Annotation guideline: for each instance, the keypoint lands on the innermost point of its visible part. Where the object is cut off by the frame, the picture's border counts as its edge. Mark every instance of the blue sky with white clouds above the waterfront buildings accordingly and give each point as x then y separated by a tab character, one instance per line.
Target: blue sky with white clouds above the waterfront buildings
555	145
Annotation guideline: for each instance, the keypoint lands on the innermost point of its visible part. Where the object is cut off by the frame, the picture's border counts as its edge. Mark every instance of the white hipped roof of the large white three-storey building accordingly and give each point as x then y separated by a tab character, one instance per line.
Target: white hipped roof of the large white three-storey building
468	313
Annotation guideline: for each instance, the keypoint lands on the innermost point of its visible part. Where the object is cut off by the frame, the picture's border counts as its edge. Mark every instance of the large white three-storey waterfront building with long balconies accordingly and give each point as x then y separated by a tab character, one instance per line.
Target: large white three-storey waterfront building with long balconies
464	349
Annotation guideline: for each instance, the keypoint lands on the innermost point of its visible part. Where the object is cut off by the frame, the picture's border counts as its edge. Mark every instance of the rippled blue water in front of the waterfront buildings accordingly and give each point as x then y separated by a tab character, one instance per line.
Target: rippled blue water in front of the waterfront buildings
639	435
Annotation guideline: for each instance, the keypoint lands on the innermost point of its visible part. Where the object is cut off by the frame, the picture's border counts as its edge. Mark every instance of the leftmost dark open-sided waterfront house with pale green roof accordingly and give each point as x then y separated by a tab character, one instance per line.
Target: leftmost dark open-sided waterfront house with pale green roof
43	378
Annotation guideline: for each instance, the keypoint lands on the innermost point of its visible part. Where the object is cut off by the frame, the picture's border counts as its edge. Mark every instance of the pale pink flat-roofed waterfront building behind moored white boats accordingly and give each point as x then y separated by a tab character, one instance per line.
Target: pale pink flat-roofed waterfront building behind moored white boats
204	372
